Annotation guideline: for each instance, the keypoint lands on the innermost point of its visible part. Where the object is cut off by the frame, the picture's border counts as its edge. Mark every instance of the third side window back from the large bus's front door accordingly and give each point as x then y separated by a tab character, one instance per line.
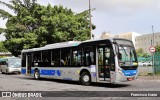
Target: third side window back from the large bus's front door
65	57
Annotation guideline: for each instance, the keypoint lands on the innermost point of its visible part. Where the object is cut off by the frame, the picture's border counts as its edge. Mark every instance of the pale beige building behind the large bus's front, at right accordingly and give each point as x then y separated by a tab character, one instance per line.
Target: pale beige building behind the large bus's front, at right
139	40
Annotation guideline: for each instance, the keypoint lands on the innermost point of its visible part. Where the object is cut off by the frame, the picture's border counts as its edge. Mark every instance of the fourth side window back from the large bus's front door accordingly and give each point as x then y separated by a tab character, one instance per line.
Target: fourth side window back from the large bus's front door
55	57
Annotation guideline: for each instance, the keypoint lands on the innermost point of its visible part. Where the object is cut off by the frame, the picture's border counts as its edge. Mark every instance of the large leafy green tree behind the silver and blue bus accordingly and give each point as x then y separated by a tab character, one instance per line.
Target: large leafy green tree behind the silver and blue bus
34	25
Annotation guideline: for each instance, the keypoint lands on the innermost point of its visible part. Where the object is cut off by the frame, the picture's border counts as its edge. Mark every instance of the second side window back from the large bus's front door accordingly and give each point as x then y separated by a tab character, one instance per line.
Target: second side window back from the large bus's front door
76	57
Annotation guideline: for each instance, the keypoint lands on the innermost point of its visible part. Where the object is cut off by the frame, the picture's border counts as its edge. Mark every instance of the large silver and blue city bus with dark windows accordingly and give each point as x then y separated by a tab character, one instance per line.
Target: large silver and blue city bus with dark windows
110	60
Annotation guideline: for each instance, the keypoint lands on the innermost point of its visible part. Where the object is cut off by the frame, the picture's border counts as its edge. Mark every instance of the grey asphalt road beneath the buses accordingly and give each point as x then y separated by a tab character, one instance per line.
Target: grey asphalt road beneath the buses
15	82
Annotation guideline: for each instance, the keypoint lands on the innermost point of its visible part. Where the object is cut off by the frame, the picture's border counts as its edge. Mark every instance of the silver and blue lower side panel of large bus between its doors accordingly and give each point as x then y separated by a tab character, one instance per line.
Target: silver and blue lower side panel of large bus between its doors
64	73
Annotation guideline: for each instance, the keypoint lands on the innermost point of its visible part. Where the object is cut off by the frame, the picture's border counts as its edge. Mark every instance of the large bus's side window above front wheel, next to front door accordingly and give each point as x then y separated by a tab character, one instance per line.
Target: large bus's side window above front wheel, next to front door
89	56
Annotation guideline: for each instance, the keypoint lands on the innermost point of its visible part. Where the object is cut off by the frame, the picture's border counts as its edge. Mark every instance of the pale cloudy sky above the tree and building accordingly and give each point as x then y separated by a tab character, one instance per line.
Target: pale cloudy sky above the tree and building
114	16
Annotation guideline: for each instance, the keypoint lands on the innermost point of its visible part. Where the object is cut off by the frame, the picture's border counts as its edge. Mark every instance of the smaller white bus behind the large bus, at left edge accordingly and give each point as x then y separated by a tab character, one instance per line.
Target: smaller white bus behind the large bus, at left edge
10	65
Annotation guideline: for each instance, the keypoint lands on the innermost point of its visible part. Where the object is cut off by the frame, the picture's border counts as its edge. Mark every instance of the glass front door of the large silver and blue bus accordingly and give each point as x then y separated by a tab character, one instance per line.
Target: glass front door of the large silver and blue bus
105	62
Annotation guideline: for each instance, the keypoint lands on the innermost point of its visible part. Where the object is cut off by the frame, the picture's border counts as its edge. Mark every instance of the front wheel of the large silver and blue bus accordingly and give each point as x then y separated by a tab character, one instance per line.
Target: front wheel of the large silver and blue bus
85	78
